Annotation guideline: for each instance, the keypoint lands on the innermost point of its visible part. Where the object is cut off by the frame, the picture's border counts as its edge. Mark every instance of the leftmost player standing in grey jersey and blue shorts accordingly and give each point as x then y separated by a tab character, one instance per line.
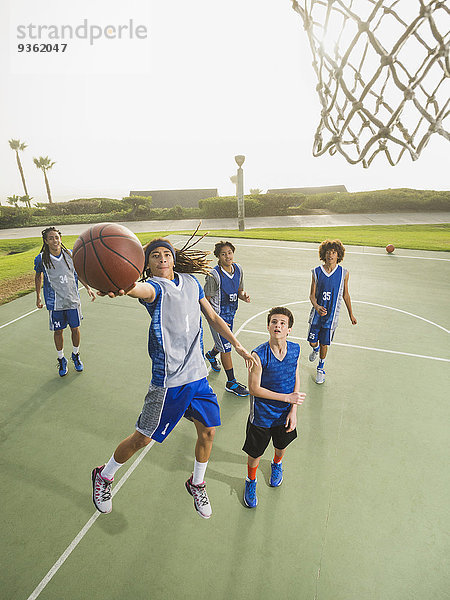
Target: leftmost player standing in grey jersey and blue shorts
54	267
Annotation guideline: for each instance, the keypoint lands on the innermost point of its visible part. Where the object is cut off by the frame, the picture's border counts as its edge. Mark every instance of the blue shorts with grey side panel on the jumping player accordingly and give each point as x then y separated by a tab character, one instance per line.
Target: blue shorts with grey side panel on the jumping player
164	407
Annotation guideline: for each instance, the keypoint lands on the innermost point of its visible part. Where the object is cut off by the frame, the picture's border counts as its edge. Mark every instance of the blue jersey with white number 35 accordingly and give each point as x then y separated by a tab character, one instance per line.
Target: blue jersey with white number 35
329	292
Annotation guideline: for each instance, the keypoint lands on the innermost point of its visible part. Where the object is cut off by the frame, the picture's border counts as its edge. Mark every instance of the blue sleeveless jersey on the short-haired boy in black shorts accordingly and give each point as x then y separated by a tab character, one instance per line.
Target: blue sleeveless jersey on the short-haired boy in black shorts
277	376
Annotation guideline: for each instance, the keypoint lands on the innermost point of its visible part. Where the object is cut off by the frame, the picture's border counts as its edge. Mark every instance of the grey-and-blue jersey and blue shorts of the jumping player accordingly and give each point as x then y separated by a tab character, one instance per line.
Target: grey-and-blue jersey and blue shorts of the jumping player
178	386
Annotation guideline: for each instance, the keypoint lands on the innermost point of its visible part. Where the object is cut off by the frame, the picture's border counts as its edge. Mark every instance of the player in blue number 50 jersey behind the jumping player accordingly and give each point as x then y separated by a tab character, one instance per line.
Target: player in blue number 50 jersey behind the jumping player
224	287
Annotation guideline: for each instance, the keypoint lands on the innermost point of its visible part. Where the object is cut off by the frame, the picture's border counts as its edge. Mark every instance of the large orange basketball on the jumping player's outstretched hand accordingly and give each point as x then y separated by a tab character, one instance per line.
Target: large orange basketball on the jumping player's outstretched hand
108	257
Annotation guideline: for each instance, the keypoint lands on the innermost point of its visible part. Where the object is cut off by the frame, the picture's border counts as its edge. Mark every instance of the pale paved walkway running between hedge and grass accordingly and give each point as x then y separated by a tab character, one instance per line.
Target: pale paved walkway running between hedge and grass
252	223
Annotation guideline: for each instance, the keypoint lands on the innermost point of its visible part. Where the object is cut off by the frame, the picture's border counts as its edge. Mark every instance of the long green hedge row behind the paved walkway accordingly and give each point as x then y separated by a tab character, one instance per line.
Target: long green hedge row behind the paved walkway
135	208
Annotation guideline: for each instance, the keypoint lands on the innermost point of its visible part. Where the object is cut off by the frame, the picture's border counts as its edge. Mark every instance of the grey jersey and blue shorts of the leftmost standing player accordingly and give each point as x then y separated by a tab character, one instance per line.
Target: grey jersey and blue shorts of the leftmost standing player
60	288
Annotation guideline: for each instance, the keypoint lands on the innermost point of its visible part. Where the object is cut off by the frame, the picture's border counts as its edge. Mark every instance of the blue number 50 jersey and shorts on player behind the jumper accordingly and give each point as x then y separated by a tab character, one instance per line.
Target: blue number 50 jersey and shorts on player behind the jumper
222	289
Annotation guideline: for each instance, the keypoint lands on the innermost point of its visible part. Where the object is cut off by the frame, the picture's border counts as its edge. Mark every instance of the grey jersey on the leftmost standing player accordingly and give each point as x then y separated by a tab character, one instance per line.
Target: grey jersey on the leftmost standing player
60	282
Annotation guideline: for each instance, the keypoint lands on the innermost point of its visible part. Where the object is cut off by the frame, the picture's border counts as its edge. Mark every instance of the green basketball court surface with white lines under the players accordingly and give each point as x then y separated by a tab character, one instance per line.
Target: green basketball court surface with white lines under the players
362	513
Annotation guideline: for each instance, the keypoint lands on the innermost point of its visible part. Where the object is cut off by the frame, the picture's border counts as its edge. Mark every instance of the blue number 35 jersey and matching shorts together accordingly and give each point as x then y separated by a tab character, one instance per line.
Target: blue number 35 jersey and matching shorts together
329	293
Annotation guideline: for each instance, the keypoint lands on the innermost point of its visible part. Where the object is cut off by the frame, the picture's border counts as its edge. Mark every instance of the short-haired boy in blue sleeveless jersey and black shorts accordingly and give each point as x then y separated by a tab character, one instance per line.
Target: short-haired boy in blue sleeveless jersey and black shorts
274	386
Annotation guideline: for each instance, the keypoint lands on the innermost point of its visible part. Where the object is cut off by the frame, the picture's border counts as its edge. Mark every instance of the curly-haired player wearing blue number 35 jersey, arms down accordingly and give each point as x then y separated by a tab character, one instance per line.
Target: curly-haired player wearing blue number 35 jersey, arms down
329	286
